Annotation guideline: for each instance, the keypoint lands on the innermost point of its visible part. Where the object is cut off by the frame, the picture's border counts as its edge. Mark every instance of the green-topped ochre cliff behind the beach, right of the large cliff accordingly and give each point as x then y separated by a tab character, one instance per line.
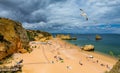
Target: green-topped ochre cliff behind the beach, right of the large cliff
36	35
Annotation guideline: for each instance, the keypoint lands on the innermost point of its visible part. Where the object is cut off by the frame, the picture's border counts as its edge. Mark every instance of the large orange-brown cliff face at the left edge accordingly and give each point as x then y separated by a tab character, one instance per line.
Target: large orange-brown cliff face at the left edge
13	37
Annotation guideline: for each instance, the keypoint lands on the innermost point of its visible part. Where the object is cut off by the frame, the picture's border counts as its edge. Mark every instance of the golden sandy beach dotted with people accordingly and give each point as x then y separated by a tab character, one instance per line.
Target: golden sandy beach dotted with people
58	56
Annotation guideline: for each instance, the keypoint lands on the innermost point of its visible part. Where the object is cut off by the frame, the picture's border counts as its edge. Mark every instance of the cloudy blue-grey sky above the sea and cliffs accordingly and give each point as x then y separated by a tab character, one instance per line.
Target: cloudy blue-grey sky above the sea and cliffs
64	16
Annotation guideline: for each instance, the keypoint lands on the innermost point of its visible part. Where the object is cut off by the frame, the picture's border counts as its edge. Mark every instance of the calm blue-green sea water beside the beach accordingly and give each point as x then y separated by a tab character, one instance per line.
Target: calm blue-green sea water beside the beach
110	43
